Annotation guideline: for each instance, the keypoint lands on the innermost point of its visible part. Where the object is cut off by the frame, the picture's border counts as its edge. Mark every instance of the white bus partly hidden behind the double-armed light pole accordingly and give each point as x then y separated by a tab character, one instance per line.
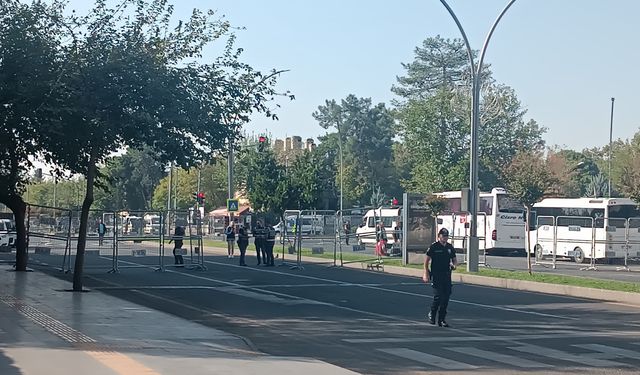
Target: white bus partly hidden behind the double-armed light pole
500	222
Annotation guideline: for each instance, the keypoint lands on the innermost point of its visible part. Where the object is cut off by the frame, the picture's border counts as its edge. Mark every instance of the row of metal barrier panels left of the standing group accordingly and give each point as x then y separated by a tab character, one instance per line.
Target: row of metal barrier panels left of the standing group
52	234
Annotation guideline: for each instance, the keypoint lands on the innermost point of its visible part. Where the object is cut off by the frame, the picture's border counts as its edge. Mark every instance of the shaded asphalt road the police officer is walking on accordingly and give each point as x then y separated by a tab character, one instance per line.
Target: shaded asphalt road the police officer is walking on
375	323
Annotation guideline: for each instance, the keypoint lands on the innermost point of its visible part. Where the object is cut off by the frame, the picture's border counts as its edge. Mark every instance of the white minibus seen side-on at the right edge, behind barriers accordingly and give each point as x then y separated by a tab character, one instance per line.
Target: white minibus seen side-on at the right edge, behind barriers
585	228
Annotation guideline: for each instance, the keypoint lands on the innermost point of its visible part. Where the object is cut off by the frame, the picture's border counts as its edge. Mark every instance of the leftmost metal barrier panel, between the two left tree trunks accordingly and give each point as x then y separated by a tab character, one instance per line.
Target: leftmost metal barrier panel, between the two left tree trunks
49	234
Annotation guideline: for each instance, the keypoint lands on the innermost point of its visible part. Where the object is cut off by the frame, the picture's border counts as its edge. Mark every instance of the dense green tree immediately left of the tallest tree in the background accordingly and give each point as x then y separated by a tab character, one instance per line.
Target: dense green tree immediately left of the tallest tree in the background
365	135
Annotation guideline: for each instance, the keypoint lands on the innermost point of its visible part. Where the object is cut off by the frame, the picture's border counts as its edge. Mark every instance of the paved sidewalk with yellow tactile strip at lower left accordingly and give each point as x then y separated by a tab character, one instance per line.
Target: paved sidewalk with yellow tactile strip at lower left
47	330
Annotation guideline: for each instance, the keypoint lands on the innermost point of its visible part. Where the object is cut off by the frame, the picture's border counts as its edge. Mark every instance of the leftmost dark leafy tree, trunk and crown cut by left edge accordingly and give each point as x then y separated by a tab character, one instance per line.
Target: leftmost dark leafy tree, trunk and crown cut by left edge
29	66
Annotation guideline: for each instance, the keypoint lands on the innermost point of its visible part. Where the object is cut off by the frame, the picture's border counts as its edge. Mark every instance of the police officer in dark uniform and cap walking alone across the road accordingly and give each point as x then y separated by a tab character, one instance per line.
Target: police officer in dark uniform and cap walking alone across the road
442	257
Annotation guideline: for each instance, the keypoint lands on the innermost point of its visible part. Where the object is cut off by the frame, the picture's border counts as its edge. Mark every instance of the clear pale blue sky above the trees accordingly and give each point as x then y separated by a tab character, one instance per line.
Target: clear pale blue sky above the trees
565	59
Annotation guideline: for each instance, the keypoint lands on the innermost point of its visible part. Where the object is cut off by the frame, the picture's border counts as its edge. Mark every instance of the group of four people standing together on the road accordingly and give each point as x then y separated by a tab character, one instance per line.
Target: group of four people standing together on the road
264	240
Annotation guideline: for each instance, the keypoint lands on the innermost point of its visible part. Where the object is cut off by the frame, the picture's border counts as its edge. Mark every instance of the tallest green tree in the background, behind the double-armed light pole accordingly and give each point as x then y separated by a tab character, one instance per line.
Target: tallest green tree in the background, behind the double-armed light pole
434	118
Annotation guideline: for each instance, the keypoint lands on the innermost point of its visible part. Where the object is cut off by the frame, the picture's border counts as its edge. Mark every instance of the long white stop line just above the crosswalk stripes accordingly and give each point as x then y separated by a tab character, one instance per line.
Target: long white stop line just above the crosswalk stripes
388	340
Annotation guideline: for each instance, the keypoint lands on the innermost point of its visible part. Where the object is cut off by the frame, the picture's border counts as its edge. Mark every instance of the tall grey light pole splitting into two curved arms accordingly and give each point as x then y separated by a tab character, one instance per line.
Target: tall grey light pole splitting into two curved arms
476	71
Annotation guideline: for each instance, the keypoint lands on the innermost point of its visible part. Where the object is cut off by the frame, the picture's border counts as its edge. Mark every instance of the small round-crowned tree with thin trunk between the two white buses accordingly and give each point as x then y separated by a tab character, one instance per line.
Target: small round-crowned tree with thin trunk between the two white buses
528	178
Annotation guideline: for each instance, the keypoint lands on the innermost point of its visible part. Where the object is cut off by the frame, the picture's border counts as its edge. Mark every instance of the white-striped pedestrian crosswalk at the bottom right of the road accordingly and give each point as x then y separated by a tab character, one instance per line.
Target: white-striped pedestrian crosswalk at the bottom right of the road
522	356
